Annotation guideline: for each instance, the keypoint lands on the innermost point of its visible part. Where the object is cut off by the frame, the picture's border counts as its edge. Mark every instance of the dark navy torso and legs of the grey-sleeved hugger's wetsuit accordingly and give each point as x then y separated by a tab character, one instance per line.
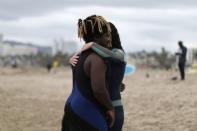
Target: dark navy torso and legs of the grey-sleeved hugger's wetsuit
115	75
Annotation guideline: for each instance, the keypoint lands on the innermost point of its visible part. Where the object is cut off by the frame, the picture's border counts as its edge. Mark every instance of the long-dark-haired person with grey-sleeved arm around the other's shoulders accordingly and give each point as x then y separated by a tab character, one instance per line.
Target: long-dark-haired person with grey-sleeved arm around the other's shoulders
116	66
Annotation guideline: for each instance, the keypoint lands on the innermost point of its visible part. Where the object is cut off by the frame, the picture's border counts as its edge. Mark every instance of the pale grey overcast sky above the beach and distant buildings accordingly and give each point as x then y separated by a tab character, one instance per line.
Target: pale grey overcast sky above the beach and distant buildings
142	24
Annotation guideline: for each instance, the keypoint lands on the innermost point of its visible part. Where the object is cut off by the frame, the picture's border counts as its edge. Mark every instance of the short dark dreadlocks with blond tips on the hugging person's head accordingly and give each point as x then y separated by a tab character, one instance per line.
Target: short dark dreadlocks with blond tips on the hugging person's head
93	26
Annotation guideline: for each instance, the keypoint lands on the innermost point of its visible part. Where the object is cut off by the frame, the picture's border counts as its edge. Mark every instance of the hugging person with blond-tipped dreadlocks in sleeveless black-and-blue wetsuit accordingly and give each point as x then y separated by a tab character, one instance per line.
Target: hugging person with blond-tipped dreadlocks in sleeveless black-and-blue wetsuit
89	107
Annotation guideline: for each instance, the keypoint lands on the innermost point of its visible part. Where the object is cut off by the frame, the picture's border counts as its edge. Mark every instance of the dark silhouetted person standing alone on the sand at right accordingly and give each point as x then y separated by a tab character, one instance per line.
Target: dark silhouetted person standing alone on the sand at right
182	59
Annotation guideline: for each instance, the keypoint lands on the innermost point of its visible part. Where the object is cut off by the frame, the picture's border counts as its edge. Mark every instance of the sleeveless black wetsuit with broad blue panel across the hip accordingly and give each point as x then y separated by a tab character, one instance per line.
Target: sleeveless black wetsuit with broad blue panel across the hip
82	111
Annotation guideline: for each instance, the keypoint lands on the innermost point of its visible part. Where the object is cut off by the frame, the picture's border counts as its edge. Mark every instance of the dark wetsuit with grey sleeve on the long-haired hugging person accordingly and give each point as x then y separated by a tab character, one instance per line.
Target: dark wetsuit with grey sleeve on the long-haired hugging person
116	68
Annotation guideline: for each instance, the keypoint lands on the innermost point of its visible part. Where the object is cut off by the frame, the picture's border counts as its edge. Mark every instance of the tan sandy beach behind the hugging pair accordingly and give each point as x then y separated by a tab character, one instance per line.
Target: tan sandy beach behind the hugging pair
33	100
